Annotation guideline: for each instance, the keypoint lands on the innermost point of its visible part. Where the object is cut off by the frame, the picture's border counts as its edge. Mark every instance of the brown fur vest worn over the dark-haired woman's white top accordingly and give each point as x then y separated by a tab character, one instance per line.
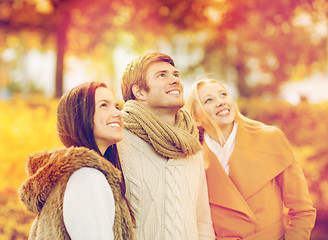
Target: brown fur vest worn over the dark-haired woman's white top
42	193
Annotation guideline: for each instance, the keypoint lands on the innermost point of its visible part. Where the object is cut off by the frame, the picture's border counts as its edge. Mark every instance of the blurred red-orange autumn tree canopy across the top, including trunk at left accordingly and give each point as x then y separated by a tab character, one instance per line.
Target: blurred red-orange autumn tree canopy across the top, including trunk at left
256	41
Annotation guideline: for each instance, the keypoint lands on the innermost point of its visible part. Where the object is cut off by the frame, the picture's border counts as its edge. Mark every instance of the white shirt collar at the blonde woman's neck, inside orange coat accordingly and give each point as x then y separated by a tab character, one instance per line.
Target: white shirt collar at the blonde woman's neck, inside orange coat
223	154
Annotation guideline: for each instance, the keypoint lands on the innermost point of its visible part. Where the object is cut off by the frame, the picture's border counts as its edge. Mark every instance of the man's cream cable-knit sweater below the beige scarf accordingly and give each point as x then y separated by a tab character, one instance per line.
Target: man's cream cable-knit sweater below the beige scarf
169	197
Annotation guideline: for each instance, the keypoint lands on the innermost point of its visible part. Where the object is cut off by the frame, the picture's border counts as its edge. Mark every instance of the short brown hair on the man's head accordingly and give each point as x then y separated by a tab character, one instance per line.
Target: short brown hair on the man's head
136	70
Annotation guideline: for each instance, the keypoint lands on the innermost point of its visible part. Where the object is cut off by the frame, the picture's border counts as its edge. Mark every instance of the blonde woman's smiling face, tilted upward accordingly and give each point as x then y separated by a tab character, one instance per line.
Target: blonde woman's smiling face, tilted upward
218	104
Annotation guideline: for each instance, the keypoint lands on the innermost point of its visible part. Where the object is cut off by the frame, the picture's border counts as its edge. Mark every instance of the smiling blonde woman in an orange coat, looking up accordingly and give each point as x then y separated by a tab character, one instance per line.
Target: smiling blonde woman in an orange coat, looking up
251	171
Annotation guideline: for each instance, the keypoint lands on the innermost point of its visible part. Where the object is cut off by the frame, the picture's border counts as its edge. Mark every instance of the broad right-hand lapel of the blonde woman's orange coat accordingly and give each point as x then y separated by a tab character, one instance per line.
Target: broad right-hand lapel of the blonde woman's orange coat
257	159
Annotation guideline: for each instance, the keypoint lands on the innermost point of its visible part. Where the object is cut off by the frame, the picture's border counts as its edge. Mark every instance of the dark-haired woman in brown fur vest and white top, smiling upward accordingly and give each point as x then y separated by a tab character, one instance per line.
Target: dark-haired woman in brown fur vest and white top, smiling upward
77	191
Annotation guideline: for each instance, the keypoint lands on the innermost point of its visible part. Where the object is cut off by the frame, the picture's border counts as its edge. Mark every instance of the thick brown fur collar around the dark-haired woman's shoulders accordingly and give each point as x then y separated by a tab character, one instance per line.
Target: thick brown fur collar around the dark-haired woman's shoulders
44	169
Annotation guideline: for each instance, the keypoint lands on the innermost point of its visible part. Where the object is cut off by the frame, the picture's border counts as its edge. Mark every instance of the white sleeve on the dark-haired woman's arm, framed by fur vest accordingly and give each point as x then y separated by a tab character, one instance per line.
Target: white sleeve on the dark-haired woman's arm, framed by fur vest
88	206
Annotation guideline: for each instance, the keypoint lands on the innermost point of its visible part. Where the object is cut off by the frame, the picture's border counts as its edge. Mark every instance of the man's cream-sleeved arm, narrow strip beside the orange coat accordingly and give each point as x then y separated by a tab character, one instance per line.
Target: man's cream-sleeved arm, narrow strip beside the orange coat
204	220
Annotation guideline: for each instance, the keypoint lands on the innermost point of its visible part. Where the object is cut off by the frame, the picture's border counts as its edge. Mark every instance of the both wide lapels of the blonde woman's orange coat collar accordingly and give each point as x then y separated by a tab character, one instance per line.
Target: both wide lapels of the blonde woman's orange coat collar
258	157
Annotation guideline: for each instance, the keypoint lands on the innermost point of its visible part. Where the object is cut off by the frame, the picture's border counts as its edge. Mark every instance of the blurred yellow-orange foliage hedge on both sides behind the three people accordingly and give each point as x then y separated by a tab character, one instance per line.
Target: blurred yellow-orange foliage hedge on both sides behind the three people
28	125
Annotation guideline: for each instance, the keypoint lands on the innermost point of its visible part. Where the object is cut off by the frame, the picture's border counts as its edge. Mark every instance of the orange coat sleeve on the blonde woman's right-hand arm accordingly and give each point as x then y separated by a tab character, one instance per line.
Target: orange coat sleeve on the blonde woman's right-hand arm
297	199
